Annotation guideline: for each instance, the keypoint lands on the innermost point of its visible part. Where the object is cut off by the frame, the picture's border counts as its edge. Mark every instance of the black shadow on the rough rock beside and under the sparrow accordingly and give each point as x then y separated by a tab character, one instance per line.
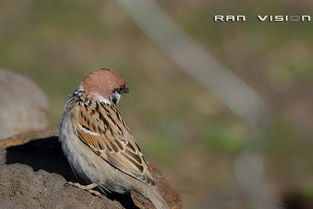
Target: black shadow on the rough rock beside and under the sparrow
46	154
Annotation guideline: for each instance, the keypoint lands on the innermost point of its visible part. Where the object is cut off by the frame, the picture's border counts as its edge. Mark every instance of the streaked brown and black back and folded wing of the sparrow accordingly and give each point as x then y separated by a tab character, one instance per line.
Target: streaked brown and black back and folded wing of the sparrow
101	128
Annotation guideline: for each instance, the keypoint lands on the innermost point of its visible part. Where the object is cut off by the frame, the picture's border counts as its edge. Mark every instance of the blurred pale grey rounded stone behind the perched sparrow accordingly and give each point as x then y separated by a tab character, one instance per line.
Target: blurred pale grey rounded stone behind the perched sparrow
22	105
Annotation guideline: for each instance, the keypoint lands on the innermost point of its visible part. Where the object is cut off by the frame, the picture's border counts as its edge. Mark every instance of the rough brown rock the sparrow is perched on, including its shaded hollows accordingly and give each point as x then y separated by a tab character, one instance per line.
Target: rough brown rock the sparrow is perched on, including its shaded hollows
33	173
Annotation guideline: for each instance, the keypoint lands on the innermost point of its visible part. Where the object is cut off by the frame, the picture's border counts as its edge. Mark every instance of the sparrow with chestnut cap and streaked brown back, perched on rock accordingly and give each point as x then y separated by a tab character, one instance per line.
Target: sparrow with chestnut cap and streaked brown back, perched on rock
99	145
